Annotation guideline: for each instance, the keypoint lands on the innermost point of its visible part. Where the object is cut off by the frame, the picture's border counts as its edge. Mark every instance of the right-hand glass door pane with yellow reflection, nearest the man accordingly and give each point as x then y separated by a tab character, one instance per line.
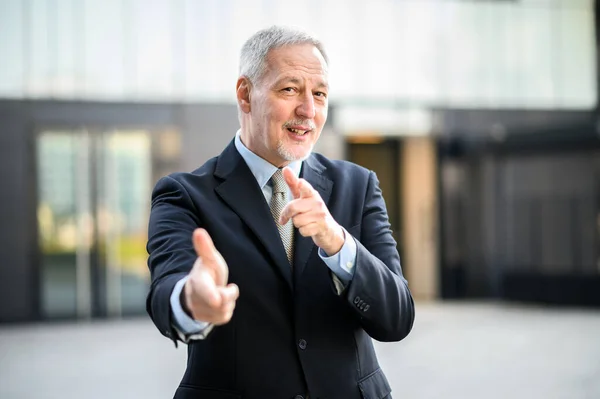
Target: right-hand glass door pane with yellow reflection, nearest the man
123	207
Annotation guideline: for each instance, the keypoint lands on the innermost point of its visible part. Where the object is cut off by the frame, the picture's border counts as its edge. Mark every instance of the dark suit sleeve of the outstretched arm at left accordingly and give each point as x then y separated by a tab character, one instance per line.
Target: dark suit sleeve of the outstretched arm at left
170	249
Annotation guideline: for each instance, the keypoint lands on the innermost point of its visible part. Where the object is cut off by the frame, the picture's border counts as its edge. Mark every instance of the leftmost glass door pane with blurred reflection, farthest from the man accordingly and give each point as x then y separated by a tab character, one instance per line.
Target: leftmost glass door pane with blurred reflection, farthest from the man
65	223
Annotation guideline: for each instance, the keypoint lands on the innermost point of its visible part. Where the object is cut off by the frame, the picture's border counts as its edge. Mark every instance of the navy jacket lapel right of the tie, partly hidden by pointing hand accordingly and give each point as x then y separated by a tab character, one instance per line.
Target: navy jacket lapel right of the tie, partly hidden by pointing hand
312	171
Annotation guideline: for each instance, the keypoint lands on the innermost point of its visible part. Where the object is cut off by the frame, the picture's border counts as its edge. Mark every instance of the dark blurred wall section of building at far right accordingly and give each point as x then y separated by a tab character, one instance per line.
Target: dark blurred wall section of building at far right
522	225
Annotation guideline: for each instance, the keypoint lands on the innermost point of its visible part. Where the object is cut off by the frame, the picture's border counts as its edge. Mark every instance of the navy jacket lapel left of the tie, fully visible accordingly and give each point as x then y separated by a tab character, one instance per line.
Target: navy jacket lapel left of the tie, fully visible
243	195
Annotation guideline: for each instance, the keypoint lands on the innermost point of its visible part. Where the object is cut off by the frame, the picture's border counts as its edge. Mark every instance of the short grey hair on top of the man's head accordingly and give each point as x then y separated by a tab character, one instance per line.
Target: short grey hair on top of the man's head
256	49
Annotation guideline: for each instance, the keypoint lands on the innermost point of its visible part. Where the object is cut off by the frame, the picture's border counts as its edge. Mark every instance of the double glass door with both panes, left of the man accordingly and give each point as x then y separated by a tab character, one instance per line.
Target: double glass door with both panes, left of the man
93	205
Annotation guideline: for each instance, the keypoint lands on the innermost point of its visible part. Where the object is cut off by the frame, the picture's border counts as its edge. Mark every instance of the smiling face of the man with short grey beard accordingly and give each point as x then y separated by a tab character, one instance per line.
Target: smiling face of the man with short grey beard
288	106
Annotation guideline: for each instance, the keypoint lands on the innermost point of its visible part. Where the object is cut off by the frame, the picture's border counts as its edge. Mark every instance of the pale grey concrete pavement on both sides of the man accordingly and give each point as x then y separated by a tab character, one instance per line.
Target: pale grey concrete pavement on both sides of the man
456	350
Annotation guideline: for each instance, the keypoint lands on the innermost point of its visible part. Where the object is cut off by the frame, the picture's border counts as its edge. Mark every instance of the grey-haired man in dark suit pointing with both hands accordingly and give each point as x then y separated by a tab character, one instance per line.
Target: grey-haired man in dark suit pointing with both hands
276	265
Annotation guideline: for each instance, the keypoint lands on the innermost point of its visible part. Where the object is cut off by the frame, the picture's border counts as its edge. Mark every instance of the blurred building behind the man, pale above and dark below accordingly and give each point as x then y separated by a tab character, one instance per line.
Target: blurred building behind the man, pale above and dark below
479	117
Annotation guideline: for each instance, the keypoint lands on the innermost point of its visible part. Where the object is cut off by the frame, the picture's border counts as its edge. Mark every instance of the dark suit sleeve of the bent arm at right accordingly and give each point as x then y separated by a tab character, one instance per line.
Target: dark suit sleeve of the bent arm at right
378	292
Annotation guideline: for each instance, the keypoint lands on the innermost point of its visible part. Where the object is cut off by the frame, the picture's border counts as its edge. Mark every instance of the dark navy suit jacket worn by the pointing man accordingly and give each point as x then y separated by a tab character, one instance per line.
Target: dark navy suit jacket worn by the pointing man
290	333
